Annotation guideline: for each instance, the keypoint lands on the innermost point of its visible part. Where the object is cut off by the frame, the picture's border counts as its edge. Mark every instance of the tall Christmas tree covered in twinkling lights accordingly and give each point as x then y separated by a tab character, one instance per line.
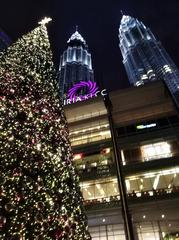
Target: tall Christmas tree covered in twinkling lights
39	190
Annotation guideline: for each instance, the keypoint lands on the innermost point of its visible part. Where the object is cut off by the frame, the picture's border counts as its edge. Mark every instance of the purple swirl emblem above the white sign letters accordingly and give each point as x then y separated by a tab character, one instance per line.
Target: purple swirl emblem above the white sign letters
90	87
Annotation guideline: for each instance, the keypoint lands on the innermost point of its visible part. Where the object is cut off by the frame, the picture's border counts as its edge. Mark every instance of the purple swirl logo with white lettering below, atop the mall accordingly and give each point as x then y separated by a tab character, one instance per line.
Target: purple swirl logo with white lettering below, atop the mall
90	88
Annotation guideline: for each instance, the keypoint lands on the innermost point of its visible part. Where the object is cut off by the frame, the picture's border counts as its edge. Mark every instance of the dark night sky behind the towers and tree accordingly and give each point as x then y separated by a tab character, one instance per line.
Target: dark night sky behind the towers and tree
98	23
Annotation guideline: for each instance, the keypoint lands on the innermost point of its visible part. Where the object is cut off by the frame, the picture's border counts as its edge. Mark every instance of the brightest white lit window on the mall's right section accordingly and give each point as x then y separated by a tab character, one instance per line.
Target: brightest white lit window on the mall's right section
156	150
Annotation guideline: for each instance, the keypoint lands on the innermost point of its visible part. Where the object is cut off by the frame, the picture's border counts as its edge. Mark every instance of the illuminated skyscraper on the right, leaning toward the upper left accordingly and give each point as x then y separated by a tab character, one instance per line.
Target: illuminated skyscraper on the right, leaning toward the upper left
144	57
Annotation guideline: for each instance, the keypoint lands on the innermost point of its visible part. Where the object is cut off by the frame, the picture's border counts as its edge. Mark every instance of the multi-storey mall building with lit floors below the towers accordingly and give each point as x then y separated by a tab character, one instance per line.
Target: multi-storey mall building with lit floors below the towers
147	131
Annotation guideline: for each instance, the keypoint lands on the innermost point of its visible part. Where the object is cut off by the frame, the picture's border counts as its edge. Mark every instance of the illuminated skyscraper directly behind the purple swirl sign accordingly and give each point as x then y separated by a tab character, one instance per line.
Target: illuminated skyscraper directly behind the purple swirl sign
75	63
